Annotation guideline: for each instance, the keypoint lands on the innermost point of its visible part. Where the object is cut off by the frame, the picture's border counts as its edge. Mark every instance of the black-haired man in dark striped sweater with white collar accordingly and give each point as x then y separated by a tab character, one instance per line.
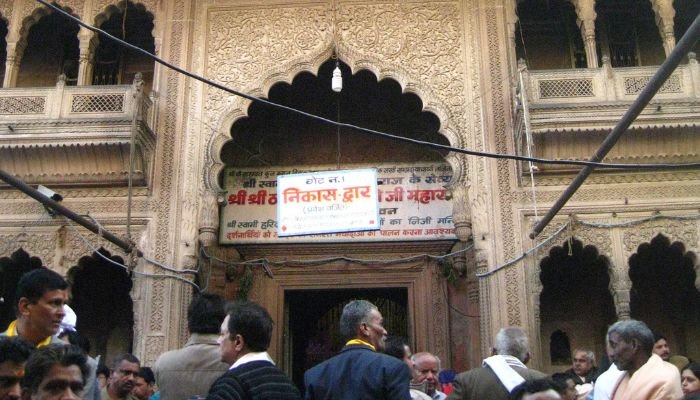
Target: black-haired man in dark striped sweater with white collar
245	336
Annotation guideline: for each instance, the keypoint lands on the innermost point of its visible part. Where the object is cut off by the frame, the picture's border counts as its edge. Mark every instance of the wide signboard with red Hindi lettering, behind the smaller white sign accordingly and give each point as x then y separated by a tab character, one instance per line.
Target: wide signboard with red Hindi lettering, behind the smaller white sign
414	205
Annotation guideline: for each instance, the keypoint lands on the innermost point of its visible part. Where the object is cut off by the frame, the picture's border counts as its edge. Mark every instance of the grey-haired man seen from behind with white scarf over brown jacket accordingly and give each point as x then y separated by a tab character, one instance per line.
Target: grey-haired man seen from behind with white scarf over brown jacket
501	373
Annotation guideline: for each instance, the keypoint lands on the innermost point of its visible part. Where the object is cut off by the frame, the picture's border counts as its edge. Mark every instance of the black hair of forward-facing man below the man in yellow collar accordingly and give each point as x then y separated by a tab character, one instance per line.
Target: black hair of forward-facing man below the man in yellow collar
44	358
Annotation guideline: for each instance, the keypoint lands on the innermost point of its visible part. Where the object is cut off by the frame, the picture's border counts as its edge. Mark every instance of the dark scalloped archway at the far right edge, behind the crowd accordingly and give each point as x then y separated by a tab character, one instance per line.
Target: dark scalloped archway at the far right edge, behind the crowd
664	295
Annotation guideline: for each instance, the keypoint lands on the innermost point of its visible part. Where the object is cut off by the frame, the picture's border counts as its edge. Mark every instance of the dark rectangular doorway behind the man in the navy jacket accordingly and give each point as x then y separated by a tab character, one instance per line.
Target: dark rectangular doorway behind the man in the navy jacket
313	317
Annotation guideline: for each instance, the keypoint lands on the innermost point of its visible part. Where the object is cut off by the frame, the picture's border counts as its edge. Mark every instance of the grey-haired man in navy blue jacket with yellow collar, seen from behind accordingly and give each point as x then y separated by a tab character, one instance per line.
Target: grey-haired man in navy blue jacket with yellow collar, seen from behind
359	371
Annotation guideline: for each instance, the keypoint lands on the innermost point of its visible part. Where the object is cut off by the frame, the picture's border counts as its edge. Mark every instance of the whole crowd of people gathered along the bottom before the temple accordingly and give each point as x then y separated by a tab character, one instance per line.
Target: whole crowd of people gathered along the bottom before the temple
43	358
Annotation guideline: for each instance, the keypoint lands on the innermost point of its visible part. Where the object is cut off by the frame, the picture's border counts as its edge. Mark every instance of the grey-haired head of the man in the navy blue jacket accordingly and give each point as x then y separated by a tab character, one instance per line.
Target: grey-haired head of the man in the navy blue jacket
362	320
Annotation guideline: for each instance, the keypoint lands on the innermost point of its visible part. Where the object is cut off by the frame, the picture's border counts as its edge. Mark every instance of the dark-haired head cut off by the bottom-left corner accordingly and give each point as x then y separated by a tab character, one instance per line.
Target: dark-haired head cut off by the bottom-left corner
14	352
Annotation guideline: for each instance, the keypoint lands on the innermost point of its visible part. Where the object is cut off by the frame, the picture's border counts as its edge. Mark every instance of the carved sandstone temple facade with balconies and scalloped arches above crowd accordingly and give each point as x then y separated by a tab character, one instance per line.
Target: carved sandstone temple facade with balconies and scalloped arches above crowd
189	172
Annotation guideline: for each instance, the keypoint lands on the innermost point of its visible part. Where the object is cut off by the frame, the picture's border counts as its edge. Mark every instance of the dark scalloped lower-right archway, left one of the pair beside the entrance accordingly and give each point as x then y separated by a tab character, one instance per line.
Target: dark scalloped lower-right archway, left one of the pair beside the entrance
576	306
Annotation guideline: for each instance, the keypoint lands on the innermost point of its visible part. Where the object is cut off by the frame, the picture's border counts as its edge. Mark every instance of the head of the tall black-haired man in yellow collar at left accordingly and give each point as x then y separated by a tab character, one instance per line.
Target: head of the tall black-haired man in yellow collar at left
40	297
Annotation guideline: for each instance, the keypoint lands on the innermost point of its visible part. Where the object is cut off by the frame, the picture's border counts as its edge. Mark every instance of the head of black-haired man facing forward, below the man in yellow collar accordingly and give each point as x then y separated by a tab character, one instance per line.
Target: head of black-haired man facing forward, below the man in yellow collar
56	372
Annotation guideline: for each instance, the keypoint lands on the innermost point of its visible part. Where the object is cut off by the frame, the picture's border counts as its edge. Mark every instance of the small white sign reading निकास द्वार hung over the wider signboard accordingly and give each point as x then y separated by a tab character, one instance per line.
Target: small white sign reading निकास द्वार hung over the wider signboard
327	202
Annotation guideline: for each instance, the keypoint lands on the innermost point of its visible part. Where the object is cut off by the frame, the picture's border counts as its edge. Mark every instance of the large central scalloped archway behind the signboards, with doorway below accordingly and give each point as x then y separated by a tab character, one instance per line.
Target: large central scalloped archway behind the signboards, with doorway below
268	138
